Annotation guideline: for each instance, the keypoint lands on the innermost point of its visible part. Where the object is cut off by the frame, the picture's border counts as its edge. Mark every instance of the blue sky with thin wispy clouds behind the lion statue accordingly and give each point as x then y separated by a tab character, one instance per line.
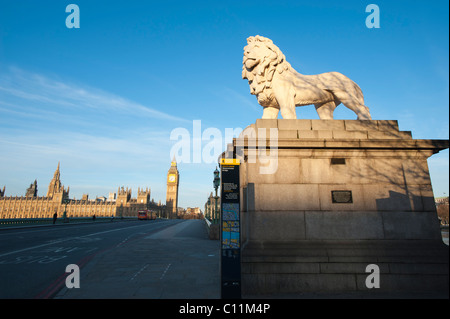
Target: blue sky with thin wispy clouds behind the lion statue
103	99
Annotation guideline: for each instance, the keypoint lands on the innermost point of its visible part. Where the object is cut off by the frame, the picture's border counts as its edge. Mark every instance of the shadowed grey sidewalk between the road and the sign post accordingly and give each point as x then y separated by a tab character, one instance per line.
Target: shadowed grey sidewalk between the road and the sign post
179	262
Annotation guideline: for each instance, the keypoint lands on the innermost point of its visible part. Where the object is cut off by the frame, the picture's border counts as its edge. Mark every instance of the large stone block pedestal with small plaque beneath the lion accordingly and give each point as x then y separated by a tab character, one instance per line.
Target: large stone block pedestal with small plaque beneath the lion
328	197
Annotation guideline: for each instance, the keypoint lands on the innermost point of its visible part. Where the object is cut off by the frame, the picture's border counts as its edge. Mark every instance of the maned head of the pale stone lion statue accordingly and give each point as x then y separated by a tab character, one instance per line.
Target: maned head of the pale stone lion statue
261	59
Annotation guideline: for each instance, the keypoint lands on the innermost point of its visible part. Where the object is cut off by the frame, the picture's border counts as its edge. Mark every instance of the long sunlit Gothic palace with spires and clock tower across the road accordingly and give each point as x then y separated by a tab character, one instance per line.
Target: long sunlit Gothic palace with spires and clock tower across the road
119	204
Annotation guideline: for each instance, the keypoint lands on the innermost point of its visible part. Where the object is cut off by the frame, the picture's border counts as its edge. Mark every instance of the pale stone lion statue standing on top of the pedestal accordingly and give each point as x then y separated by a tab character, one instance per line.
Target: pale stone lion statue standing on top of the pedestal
278	87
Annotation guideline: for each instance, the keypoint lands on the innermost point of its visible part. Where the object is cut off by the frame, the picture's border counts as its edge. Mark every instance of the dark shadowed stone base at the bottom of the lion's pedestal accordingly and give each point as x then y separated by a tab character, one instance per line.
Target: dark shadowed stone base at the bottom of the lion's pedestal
276	270
